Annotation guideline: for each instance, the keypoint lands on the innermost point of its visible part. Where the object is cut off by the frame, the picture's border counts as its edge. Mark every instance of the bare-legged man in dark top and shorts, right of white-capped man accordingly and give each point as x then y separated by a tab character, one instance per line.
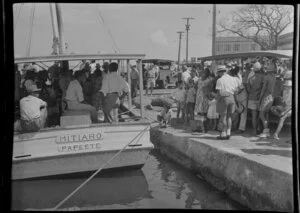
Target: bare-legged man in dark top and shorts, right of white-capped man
266	97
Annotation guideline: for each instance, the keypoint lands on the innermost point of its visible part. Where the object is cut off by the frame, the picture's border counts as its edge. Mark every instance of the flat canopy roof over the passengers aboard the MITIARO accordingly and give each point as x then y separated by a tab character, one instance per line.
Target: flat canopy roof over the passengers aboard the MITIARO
77	57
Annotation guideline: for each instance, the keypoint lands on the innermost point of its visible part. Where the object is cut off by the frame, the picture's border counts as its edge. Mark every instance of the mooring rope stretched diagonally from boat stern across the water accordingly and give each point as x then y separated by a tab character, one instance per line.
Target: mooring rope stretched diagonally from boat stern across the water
95	173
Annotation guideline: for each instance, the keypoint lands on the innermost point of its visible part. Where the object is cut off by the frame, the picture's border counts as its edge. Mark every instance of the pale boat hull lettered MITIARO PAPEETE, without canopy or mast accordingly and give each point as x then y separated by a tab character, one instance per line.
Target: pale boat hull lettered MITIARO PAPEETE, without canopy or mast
76	150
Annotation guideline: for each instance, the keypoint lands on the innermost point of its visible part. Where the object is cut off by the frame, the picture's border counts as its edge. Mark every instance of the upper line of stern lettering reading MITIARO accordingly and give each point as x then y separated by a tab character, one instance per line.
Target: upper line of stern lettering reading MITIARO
79	137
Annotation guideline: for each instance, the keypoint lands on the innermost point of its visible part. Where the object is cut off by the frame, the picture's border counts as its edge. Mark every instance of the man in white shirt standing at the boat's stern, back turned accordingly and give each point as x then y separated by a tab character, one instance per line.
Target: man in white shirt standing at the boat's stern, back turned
113	87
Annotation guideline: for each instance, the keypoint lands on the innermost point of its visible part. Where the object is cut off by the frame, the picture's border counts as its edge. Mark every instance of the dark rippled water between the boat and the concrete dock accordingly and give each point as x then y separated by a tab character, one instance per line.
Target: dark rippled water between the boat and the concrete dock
159	184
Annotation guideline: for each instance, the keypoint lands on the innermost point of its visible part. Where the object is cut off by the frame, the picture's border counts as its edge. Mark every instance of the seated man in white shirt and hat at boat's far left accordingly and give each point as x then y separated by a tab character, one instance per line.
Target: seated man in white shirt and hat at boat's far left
33	112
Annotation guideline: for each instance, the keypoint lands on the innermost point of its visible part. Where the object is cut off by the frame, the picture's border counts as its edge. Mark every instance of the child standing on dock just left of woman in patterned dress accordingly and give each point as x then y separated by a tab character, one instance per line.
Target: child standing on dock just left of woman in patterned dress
190	101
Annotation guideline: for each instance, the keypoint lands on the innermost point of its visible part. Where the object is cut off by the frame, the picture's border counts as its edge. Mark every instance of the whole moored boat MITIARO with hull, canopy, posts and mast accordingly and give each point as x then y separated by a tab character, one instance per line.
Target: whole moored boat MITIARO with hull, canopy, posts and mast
79	146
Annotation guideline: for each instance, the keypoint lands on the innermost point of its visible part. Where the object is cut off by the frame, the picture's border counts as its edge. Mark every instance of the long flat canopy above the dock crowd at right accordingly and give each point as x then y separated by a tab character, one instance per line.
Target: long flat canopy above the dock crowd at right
269	53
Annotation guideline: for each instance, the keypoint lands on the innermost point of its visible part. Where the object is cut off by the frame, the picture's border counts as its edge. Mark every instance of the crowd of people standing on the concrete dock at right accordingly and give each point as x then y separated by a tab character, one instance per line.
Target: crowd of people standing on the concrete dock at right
222	97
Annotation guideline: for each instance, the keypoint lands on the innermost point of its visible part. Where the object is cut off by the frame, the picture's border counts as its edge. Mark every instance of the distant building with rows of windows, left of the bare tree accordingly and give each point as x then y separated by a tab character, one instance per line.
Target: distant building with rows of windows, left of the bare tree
235	44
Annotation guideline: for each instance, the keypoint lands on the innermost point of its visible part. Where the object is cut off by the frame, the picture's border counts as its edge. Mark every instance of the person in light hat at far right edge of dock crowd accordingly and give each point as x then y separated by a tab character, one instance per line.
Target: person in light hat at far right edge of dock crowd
284	109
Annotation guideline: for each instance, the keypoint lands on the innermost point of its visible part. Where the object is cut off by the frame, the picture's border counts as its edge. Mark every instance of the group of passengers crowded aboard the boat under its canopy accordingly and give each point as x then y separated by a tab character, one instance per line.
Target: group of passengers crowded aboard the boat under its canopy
41	95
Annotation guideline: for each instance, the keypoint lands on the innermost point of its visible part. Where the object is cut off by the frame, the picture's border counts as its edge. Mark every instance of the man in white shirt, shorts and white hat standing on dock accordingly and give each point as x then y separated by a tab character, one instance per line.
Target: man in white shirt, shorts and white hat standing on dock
226	87
